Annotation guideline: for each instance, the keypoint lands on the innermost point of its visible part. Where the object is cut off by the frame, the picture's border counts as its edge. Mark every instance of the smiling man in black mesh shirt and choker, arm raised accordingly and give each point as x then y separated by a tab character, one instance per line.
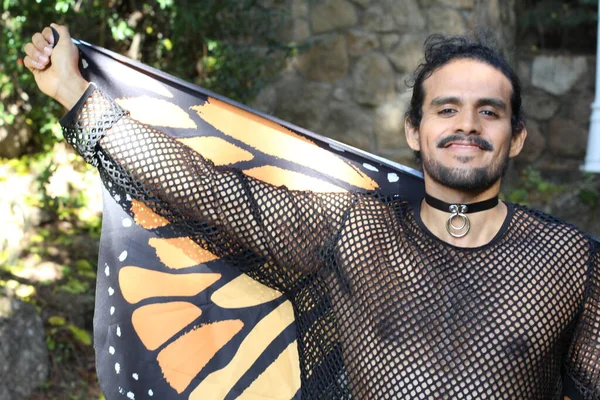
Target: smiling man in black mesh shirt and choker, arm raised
460	296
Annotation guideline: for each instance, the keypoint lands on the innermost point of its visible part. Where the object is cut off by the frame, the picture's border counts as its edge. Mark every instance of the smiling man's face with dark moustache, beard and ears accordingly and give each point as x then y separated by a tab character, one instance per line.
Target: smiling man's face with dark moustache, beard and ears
465	137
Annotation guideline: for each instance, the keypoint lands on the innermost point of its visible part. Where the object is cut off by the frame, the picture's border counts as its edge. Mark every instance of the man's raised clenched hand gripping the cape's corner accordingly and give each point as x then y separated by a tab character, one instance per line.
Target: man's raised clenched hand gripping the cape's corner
55	67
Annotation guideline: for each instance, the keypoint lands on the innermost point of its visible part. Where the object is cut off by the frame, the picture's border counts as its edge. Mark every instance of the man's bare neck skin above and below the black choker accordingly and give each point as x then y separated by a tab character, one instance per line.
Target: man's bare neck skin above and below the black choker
484	225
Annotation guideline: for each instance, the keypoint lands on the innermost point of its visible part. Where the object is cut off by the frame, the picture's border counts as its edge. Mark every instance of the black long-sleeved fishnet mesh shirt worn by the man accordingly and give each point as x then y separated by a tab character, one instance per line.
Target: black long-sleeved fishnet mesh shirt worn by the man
384	309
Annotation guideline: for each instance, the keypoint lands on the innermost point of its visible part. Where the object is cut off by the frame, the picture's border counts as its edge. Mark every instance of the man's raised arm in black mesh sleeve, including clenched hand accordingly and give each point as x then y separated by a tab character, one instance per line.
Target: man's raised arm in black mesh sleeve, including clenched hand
275	235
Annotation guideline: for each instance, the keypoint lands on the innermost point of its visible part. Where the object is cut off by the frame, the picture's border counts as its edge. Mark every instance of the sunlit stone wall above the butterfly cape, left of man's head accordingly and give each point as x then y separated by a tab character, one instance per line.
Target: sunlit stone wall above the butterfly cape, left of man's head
348	82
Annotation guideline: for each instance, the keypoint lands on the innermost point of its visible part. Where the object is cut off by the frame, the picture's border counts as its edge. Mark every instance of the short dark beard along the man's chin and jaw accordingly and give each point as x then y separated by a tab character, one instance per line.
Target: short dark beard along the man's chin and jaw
466	179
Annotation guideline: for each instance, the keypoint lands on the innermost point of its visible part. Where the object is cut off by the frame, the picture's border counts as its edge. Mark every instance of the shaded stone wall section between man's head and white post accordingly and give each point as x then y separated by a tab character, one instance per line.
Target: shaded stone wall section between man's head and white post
557	97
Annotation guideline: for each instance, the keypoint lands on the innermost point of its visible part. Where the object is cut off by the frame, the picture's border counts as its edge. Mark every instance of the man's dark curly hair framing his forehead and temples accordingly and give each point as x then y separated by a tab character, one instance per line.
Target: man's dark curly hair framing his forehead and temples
440	50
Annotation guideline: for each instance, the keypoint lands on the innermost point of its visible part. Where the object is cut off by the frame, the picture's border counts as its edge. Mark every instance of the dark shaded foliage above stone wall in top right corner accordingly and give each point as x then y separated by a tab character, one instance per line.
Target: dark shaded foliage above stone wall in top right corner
559	24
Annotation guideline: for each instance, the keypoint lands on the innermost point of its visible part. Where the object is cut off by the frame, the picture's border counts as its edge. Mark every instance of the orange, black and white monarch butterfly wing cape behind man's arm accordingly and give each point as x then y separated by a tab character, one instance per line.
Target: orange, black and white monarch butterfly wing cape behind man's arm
172	321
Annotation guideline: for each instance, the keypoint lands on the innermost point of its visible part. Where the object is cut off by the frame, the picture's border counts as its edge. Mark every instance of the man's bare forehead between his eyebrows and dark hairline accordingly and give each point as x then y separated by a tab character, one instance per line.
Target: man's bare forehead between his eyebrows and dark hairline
467	79
